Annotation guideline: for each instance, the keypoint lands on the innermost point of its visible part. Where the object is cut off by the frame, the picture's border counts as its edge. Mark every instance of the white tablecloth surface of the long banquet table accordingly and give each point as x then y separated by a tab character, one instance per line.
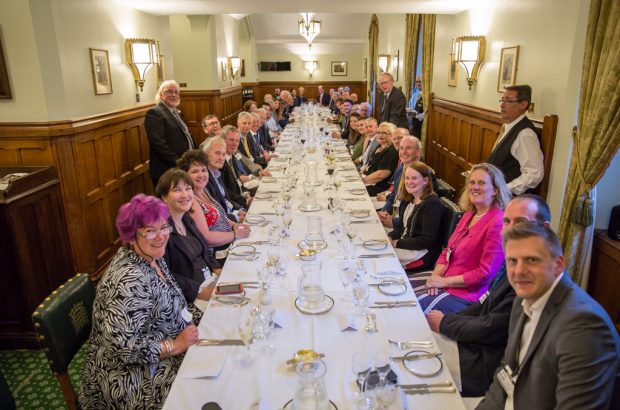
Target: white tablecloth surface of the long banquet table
216	373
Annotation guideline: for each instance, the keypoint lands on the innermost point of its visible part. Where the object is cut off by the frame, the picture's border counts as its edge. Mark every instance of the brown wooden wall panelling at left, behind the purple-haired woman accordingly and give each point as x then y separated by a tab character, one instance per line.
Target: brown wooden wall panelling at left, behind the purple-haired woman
102	161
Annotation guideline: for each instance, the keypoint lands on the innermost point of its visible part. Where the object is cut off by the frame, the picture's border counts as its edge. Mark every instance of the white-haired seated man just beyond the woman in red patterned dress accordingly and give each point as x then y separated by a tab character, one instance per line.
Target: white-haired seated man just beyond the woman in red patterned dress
234	203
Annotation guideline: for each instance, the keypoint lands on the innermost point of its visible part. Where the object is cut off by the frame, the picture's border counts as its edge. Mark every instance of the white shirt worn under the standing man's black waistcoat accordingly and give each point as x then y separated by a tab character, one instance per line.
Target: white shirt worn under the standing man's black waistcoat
526	150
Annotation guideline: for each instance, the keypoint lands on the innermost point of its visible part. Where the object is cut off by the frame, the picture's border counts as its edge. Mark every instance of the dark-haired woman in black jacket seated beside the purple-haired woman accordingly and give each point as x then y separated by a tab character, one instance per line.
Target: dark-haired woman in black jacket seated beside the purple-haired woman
187	255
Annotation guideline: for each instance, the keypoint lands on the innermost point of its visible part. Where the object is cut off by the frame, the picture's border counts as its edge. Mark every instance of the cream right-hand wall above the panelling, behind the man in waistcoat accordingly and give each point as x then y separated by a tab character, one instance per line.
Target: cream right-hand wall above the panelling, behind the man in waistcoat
551	36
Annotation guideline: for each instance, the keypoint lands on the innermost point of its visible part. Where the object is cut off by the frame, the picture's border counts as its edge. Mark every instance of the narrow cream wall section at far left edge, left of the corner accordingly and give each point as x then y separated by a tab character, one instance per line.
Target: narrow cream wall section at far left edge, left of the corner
22	59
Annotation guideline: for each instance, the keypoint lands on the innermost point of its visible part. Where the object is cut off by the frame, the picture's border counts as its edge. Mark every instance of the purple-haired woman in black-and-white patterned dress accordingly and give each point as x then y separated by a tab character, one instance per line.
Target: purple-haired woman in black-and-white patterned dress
141	324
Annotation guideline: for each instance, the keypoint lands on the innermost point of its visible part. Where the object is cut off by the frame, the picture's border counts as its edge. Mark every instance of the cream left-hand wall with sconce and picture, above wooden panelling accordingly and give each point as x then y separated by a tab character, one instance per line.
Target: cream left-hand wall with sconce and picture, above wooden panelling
49	59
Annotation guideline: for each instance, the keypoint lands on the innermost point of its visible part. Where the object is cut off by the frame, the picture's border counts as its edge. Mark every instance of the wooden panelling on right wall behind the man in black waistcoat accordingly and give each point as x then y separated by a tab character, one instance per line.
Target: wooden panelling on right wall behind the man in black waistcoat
460	135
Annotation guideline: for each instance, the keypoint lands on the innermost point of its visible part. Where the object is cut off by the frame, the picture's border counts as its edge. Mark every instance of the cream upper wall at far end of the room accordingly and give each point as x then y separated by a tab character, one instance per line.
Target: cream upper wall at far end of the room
323	73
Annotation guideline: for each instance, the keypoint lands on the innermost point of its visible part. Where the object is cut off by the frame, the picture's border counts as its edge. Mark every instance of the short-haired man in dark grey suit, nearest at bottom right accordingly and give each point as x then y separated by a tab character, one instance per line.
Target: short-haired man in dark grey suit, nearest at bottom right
563	351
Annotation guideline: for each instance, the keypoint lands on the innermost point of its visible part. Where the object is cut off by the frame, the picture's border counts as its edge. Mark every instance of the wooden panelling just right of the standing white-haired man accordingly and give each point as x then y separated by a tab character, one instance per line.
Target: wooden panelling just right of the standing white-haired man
195	105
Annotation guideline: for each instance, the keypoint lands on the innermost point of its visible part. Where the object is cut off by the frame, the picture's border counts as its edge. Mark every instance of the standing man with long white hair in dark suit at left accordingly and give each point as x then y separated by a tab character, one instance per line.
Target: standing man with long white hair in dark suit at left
166	132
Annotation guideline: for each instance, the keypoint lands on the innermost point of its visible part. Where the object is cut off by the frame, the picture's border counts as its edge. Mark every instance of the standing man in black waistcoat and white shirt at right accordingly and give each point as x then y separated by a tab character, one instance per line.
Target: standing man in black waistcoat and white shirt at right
517	150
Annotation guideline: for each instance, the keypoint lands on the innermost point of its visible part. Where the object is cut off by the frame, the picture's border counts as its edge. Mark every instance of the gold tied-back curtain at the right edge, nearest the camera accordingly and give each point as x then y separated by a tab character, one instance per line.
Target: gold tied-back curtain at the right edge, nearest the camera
597	137
